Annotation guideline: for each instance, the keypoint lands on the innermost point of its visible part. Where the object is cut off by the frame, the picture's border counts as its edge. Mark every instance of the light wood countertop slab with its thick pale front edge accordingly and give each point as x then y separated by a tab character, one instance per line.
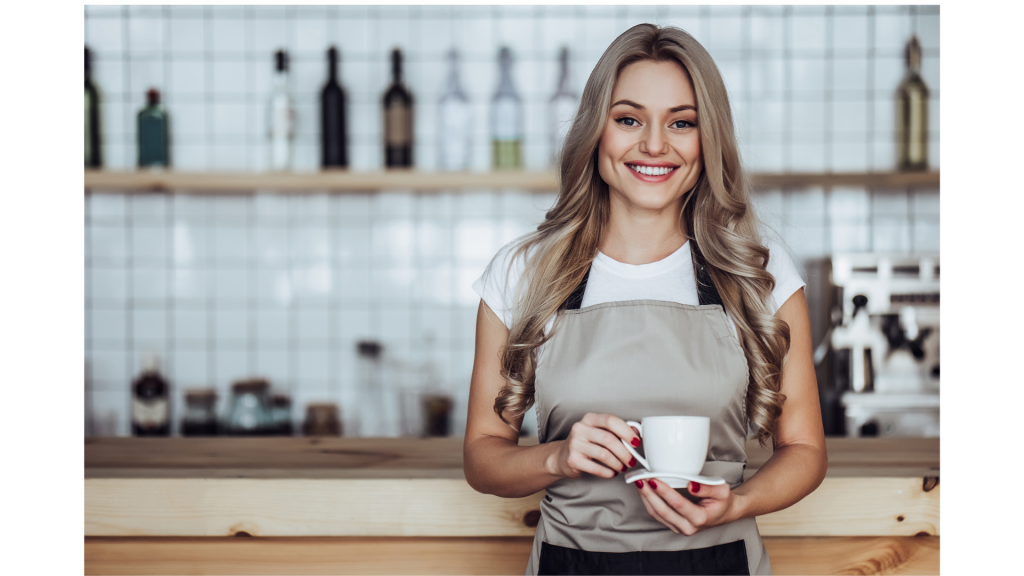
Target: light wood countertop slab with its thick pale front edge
404	487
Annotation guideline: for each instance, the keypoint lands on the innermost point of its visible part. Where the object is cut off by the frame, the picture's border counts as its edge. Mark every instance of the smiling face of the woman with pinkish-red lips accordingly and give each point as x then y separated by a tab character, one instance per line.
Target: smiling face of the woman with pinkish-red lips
651	150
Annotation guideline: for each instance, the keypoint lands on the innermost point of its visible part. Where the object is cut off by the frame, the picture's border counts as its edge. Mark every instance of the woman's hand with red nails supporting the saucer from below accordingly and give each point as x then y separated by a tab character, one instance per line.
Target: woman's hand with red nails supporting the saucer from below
717	505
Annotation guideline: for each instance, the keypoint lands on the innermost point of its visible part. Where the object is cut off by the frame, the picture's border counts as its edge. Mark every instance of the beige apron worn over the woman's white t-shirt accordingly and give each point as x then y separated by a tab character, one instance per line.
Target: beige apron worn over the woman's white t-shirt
636	359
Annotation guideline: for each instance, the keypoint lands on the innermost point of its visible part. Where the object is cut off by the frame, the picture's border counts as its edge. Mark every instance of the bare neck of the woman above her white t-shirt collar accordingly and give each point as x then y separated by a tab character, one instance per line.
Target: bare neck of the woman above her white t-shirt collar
641	236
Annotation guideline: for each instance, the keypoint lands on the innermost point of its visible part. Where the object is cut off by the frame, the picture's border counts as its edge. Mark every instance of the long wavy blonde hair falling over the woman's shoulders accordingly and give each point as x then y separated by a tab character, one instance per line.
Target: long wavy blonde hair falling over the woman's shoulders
717	214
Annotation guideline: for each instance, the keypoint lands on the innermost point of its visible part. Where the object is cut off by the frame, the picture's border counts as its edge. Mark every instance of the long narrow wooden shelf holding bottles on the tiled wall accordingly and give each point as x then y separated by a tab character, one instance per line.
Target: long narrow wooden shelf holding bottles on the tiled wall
342	181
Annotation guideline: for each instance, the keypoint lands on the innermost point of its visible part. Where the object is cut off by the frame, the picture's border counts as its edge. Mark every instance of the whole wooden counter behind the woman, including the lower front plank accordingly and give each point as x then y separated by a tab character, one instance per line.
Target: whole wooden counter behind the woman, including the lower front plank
164	498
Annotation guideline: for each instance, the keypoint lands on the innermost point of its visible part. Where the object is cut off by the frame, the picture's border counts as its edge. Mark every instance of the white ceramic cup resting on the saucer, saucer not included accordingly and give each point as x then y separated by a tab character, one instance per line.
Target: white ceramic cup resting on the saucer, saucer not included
673	444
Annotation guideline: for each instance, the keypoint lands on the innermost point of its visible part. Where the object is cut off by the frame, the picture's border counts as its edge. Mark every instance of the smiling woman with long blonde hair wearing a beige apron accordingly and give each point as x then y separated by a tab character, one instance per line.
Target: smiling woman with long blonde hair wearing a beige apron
647	292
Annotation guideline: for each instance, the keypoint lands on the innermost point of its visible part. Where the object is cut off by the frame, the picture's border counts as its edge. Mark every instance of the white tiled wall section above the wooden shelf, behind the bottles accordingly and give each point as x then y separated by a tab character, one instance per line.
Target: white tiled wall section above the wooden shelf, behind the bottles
800	78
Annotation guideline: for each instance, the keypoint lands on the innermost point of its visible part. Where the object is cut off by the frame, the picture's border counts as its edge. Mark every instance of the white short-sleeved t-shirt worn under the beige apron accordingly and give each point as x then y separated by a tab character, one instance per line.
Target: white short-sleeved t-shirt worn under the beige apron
669	280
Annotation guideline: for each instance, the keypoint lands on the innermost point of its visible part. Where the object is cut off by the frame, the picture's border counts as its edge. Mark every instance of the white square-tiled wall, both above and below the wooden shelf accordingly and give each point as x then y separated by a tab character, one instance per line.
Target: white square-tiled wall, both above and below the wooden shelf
223	289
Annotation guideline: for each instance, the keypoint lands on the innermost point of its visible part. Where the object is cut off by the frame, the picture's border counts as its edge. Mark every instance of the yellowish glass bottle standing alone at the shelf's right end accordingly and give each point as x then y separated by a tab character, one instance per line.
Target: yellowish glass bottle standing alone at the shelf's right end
912	113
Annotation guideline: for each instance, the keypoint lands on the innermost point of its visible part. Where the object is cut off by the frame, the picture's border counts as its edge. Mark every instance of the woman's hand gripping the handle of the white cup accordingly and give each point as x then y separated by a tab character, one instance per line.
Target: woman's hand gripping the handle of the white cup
594	447
